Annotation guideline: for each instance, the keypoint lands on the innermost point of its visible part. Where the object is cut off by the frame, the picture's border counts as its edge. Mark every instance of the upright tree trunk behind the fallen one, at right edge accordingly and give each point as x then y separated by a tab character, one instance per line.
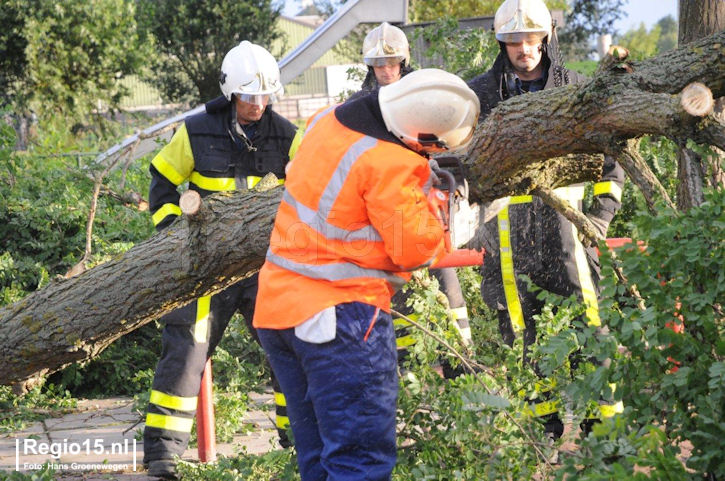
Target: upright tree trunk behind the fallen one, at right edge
698	19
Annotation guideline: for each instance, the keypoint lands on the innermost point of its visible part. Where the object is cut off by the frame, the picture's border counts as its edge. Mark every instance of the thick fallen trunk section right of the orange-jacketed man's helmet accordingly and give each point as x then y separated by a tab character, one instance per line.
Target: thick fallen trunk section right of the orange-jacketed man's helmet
522	143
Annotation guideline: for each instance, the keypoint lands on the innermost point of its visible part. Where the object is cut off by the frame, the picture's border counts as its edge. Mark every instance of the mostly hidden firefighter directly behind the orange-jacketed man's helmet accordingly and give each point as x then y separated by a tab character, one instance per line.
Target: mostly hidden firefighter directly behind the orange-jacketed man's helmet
386	52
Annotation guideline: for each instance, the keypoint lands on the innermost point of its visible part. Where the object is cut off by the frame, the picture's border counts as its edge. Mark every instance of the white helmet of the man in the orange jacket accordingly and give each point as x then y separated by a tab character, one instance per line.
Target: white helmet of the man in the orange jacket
430	110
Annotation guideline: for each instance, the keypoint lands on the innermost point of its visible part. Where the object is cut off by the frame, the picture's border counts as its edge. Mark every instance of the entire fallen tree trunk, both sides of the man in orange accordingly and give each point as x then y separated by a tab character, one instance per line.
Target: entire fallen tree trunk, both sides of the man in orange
517	149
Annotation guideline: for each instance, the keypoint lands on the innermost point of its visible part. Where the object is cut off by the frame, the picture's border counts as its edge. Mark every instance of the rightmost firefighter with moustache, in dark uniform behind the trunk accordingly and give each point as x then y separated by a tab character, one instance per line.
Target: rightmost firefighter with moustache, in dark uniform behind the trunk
529	237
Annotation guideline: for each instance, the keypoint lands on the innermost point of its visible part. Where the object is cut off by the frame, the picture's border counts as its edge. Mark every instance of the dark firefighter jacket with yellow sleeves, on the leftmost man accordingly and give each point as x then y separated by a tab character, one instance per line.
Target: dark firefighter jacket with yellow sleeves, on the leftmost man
206	153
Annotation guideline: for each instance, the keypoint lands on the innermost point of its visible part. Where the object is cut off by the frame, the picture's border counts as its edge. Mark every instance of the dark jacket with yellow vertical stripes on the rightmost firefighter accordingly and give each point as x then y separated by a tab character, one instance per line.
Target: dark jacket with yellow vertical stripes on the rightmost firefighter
531	238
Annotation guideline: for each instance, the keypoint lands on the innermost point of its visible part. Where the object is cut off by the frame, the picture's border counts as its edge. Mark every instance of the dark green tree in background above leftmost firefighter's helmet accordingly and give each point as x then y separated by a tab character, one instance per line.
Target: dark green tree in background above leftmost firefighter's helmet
192	38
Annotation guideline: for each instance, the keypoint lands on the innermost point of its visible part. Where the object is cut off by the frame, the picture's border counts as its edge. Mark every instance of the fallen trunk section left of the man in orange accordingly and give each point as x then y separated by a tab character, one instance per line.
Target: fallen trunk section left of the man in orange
74	320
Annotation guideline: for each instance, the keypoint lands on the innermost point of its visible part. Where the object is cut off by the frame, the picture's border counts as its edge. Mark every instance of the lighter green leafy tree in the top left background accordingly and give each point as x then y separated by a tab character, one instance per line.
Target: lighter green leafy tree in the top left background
77	51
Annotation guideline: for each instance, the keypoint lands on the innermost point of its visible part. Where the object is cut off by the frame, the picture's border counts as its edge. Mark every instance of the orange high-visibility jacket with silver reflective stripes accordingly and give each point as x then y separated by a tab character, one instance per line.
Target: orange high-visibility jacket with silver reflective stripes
353	222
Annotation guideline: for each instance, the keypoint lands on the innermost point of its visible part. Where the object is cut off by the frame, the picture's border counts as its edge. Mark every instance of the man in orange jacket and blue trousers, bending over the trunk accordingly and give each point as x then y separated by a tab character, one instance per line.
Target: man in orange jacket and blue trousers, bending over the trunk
353	222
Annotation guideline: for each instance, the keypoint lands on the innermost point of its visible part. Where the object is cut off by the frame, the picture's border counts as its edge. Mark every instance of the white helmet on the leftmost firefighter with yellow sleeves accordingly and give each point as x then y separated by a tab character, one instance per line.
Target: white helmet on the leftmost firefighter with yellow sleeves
250	70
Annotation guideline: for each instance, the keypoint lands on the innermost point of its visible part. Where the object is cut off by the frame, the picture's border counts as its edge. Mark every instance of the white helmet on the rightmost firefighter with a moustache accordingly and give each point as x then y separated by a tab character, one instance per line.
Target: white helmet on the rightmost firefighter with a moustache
516	19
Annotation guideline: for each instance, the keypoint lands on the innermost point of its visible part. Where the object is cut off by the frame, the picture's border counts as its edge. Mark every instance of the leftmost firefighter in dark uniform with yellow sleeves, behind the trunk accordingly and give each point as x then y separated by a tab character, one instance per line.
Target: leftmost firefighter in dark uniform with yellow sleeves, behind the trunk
232	145
